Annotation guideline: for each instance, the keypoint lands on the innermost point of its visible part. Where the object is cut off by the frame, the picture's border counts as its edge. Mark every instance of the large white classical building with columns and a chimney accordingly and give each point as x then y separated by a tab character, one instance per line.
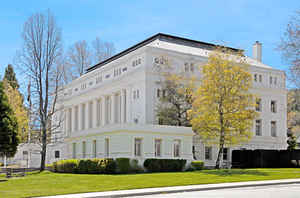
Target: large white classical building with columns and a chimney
111	110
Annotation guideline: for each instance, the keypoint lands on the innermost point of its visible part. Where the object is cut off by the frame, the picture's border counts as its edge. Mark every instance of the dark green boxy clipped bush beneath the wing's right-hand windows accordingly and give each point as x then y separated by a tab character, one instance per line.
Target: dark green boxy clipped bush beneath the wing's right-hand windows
164	165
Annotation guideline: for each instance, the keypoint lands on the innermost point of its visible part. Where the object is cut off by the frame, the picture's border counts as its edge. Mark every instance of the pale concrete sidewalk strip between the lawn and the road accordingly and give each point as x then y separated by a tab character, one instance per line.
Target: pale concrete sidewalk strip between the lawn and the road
176	189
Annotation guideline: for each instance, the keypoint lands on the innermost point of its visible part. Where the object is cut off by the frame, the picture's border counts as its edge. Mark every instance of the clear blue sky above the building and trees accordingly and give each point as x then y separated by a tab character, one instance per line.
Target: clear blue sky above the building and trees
236	23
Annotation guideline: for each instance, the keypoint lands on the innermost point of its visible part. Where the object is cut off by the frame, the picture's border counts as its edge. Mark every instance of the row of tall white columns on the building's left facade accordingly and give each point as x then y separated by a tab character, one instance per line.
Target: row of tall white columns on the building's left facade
104	110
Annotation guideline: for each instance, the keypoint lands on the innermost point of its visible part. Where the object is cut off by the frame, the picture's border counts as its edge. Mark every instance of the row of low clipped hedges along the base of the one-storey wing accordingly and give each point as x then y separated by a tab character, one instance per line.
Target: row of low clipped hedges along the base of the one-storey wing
121	165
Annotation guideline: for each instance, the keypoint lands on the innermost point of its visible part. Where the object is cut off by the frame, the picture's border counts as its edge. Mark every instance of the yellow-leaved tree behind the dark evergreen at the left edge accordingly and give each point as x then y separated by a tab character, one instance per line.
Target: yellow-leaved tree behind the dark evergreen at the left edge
15	100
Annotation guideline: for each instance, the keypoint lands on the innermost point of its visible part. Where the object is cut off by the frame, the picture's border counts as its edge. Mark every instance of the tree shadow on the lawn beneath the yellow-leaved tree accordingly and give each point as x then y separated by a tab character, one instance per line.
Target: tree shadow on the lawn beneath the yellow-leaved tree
232	172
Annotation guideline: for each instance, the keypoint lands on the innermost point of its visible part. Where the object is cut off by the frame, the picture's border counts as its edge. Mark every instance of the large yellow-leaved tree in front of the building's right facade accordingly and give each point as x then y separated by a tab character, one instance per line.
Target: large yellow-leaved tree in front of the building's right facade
223	109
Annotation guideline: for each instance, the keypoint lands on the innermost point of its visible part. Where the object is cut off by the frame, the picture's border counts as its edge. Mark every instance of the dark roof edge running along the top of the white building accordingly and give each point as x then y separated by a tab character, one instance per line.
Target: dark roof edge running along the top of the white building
163	37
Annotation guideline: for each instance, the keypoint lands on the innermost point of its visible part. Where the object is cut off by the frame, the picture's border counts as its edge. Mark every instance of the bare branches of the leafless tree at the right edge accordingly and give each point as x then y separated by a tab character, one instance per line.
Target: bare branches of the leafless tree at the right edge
290	48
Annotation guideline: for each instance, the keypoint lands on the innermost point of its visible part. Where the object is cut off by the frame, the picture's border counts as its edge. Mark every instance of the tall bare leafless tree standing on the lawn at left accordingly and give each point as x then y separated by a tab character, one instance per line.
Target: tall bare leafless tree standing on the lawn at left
40	60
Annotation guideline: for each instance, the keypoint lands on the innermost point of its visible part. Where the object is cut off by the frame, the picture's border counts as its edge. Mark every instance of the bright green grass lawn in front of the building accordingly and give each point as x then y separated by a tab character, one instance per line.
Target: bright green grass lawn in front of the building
47	183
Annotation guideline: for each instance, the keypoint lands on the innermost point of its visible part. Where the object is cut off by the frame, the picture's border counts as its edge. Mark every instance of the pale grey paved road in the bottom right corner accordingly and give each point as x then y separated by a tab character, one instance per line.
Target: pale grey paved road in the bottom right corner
275	191
